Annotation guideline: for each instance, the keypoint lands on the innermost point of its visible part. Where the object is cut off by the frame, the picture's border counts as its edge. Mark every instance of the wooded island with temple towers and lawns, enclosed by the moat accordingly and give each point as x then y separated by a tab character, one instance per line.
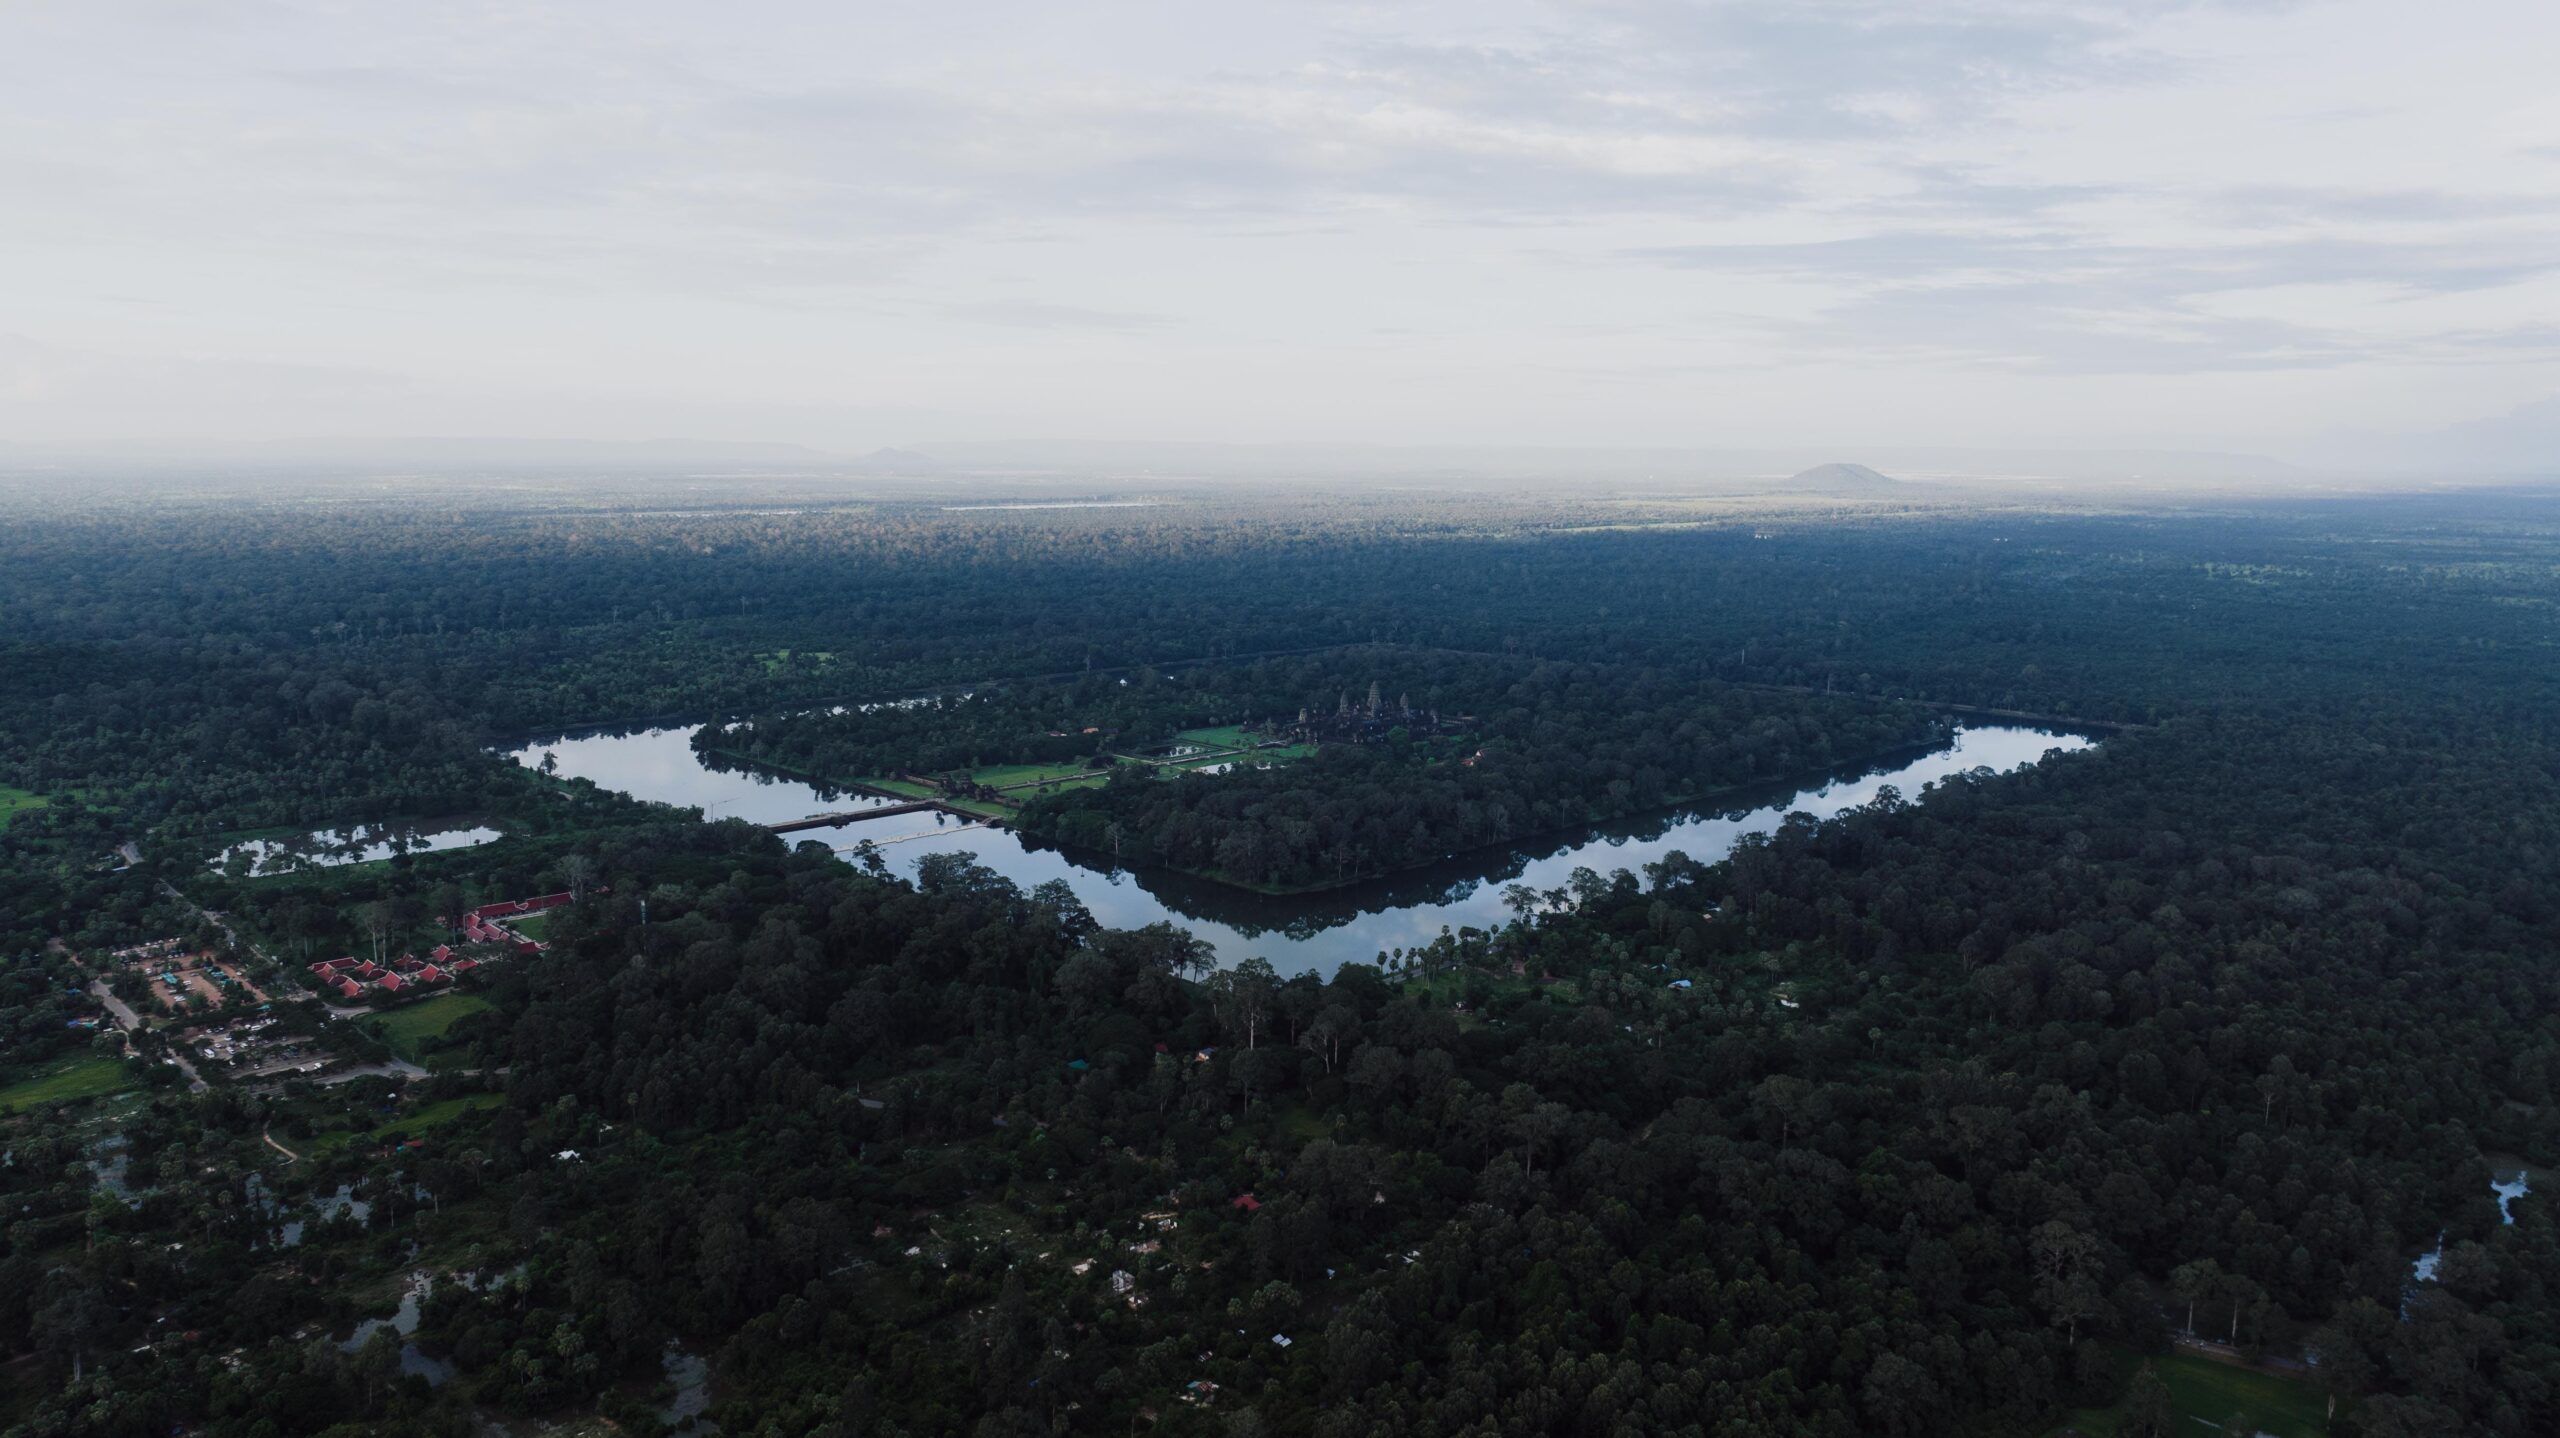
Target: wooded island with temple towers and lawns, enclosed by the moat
1471	751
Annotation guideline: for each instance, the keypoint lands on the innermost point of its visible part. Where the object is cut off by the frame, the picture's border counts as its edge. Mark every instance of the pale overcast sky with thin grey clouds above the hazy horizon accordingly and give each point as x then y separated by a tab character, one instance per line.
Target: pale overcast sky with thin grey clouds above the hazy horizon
2252	226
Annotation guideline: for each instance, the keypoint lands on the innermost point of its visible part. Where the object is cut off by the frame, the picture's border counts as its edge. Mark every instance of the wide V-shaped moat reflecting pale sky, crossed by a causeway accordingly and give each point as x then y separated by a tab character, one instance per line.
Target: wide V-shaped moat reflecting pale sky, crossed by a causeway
1294	933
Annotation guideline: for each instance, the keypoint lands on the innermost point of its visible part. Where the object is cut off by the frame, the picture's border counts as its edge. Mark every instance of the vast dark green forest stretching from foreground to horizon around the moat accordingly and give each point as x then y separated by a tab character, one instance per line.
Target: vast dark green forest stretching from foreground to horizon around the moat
1944	1117
